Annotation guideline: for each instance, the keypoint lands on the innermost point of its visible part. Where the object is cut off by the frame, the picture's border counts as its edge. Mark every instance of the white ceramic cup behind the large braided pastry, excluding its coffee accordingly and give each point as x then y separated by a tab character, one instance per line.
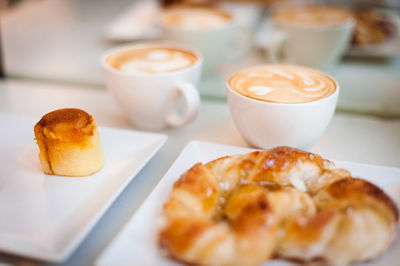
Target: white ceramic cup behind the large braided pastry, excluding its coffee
267	124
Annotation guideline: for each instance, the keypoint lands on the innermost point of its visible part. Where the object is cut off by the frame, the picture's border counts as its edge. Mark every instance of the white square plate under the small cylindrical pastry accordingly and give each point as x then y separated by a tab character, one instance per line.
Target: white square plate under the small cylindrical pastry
45	217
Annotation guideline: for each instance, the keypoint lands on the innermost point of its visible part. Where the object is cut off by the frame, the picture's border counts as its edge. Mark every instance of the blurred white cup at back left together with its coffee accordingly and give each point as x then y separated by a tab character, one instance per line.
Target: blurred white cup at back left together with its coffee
211	31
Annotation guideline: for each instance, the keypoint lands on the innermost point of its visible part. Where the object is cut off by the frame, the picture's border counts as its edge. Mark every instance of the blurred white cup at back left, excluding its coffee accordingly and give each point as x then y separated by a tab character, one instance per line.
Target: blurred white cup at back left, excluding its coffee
215	44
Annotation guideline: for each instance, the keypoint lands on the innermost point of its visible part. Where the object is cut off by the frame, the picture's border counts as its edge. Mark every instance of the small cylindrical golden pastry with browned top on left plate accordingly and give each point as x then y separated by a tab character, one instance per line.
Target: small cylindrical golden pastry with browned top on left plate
69	143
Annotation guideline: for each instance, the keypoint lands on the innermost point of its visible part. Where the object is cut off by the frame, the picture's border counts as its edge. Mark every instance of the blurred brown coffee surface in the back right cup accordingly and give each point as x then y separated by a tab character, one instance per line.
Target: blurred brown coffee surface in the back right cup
311	15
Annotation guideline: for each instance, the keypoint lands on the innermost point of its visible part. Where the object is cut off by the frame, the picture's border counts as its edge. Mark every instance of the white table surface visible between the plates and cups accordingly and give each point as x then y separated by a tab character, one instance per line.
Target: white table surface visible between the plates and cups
357	138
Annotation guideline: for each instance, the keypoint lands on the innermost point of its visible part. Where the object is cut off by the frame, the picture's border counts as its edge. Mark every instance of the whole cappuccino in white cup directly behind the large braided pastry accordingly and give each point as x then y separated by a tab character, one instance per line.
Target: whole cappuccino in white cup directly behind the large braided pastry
275	105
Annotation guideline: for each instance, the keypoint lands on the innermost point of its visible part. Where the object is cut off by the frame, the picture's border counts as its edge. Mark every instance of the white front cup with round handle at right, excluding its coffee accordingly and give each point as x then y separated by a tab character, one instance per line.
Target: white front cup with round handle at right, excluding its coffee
152	101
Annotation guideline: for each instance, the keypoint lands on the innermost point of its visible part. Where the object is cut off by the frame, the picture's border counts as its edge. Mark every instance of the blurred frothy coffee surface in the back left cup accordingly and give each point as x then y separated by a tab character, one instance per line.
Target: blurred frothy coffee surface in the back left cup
196	18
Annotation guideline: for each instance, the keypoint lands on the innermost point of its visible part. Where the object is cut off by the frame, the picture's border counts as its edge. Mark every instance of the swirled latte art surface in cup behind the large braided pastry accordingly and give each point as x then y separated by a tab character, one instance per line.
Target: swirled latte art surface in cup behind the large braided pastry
283	84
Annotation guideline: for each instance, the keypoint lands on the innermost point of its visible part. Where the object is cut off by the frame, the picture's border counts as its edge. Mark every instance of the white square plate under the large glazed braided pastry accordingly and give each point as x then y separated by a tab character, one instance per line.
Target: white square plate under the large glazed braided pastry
136	244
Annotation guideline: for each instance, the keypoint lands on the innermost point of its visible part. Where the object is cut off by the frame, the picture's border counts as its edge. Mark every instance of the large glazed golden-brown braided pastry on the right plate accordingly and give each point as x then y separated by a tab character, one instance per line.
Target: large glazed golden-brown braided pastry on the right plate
283	202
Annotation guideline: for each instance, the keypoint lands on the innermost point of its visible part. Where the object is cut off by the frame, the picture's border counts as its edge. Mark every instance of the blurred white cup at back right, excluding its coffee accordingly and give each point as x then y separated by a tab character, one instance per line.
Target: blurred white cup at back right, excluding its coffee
318	46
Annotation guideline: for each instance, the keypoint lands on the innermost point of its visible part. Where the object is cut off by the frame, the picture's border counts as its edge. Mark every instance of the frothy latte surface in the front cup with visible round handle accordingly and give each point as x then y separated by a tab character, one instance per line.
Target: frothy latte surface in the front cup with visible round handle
151	60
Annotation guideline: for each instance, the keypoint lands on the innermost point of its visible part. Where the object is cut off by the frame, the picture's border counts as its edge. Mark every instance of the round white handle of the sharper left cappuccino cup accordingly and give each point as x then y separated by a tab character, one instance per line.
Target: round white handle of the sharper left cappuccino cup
192	102
